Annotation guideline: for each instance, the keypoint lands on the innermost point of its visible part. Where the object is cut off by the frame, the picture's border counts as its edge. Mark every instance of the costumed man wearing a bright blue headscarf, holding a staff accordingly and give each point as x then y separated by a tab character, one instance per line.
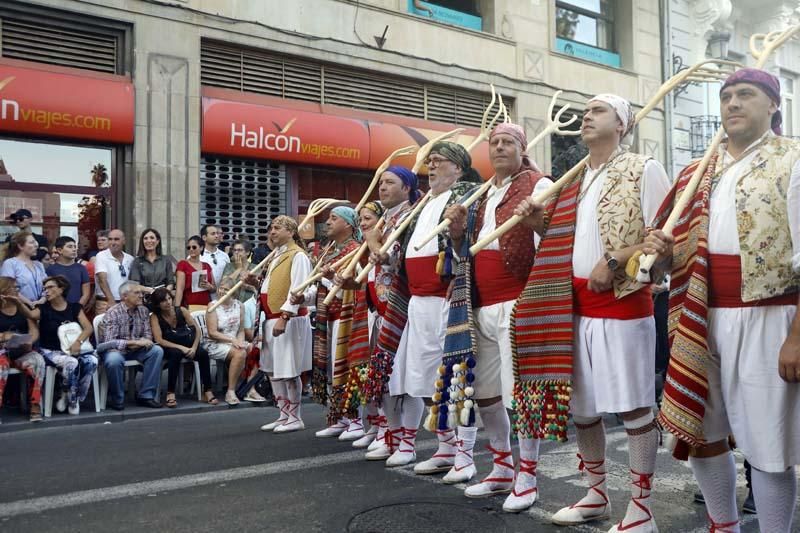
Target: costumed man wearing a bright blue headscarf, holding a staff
398	189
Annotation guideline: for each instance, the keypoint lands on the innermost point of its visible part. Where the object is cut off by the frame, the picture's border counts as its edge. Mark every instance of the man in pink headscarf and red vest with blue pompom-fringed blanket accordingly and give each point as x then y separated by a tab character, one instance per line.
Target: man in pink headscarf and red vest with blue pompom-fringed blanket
478	349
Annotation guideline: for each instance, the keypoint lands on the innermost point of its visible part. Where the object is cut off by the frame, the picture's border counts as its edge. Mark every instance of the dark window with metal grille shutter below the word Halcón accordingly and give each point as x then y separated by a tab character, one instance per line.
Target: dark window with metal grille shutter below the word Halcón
241	196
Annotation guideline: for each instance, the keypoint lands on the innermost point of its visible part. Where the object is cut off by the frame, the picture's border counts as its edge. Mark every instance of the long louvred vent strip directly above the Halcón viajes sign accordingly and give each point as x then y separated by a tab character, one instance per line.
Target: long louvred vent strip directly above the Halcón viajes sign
287	77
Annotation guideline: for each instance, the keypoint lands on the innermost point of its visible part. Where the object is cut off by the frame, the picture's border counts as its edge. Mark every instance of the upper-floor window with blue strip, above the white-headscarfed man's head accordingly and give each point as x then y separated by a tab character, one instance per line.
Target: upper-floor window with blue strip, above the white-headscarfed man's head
585	29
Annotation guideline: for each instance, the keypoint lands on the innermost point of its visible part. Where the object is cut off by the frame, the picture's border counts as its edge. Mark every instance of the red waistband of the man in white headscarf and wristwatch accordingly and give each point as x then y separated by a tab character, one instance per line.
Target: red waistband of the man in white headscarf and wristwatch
605	305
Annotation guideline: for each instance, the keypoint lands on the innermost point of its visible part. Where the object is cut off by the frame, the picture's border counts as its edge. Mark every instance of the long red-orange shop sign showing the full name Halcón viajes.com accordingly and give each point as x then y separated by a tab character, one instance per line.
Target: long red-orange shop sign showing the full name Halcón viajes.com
253	126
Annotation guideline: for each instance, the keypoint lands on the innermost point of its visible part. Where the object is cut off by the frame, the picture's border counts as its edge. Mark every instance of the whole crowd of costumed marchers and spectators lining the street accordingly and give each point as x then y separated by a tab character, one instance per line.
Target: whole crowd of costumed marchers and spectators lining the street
551	322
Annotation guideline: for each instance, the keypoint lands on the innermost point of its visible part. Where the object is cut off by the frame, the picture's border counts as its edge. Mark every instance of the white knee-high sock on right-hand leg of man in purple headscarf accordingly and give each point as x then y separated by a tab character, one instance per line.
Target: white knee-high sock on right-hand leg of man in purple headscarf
775	495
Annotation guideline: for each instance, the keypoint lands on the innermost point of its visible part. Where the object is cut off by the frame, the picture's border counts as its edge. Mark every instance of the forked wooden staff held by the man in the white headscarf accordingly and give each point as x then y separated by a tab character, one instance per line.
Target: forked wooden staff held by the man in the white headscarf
701	72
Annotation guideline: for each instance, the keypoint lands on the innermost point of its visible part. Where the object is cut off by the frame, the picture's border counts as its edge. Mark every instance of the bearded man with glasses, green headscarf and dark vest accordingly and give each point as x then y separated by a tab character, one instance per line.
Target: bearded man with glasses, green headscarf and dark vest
411	341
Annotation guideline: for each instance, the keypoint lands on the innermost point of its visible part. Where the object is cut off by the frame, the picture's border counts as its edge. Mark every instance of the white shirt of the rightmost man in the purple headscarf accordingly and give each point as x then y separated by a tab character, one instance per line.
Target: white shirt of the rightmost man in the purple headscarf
723	235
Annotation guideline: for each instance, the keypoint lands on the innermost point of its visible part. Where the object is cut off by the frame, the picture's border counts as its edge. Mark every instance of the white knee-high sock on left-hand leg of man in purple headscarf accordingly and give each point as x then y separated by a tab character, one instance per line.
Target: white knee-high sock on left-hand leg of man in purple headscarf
717	479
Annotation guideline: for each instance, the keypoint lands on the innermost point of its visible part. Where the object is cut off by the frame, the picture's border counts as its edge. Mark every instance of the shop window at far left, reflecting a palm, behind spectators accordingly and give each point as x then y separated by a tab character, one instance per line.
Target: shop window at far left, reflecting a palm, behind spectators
67	188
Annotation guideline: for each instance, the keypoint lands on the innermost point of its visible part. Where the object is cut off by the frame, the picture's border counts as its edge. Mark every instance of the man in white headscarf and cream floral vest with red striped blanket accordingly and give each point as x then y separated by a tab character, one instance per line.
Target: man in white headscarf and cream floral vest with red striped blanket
584	331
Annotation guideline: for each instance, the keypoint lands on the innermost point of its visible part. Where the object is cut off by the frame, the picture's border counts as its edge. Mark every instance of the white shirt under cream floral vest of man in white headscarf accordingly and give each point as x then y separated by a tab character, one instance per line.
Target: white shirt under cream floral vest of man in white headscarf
588	245
